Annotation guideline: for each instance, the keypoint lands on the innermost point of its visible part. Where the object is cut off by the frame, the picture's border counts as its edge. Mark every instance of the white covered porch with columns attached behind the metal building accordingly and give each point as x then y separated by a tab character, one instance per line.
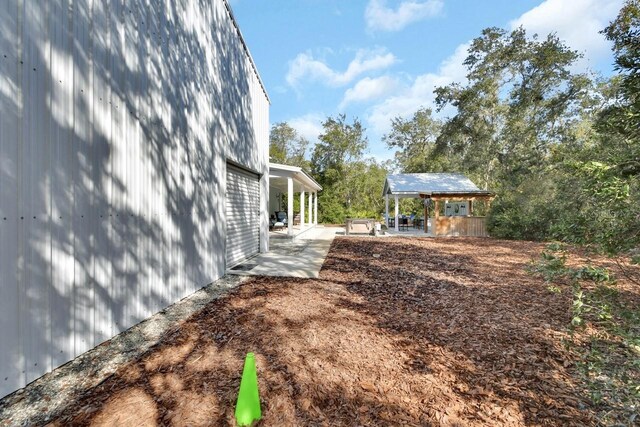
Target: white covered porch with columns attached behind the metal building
288	185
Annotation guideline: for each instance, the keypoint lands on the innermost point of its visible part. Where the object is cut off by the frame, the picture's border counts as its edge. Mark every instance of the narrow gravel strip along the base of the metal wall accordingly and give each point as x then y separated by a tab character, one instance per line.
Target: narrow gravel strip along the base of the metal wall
45	398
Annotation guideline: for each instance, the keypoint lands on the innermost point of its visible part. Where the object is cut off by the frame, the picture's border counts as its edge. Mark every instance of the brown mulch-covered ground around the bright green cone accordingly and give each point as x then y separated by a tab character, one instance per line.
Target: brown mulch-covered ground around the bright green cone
394	332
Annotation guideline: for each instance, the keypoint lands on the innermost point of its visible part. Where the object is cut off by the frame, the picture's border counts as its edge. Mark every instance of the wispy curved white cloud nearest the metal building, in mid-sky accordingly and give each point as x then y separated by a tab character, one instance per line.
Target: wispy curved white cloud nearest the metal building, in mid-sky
306	66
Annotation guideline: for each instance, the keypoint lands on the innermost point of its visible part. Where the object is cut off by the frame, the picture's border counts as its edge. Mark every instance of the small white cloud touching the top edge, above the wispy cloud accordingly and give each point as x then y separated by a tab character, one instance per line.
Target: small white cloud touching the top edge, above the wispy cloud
380	17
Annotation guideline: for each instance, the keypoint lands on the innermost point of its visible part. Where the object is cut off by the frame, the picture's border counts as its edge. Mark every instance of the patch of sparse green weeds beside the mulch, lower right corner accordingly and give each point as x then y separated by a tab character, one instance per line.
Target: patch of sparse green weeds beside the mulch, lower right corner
606	331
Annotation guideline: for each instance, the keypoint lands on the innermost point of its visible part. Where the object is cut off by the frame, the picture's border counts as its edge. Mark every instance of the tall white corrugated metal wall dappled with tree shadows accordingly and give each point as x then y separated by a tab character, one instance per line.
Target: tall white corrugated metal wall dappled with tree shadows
116	120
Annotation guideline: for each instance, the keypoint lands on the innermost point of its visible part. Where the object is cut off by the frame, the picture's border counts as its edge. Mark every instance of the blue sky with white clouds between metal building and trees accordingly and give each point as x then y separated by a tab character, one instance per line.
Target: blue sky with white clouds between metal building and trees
379	59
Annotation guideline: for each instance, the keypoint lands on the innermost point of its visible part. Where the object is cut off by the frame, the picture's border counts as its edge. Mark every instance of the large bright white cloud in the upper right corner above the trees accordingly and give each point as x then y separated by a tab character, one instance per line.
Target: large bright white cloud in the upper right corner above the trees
577	22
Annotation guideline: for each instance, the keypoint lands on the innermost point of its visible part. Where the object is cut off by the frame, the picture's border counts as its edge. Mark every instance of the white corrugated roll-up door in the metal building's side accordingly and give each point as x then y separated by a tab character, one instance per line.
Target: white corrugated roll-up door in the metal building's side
243	214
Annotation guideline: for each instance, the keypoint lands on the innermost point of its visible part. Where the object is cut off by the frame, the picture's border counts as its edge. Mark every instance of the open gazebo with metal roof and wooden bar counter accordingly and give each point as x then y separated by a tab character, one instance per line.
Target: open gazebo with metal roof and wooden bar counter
455	190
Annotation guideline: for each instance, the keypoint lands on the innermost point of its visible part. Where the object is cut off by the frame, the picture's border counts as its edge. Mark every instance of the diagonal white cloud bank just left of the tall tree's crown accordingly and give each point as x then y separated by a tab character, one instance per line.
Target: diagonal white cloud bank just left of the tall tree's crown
419	93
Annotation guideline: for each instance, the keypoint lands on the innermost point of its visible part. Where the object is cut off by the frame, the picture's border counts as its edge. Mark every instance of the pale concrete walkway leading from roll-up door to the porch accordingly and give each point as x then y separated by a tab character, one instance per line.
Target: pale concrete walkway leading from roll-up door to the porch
299	257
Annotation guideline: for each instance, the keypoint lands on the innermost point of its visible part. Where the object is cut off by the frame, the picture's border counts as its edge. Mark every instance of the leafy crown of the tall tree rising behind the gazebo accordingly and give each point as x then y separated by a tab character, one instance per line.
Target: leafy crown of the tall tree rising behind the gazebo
519	101
